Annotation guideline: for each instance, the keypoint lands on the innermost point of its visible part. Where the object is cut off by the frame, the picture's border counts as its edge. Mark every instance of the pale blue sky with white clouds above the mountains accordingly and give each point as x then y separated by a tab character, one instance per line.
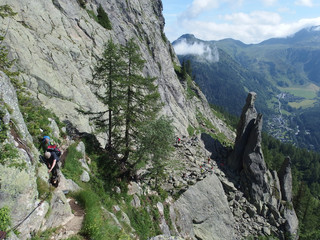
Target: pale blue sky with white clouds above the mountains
250	21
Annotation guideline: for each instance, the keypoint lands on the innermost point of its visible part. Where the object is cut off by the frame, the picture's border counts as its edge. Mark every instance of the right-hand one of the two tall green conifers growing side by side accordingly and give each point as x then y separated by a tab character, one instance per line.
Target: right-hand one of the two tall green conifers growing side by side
141	96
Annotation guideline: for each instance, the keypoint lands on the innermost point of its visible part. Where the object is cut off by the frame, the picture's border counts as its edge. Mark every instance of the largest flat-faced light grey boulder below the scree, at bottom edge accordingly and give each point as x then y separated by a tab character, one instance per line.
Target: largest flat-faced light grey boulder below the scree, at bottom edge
202	212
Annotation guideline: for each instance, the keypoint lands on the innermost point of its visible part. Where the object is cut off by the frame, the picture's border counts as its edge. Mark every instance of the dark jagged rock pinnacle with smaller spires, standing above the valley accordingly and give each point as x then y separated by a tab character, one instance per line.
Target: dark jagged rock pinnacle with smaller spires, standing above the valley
265	189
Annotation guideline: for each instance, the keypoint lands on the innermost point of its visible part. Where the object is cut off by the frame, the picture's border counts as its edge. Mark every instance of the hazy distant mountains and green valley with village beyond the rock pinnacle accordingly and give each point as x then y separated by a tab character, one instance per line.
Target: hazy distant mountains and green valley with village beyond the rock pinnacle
284	72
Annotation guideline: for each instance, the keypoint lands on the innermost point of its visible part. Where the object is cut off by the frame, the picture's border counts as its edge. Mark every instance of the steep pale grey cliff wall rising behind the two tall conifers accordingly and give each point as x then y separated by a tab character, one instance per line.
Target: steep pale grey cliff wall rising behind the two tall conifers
56	44
